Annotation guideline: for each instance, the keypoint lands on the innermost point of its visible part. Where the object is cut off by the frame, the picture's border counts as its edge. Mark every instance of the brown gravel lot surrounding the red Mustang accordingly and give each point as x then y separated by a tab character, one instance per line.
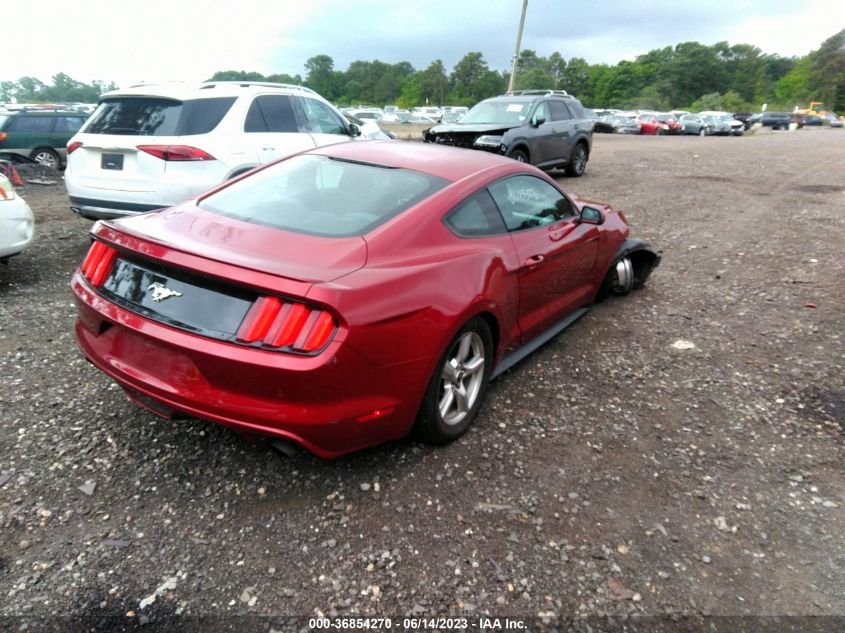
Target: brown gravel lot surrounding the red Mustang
609	474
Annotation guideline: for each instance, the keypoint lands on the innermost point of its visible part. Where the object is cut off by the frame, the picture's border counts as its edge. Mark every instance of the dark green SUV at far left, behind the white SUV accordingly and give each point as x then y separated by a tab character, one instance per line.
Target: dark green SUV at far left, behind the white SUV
39	134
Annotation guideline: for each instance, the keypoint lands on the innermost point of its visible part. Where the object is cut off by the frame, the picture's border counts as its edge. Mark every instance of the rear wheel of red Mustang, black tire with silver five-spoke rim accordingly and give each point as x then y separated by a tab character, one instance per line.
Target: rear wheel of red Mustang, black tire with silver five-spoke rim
432	425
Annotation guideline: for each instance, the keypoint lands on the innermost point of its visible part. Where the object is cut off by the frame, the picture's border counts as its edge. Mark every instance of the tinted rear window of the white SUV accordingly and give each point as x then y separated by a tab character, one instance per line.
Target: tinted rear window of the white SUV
151	116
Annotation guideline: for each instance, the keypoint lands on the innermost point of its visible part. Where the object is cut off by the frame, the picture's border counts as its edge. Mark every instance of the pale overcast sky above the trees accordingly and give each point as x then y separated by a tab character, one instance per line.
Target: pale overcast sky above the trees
155	40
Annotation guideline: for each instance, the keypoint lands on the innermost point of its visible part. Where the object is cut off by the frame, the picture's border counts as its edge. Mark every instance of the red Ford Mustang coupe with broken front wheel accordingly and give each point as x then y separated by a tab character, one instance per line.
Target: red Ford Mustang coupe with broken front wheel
343	296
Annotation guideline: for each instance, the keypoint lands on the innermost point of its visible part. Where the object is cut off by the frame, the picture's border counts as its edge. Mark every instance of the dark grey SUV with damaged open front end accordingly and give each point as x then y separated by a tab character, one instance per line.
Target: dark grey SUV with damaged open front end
547	128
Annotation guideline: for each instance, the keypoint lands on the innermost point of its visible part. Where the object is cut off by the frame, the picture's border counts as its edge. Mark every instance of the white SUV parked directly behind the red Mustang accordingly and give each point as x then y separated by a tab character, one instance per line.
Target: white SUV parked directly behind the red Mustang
154	146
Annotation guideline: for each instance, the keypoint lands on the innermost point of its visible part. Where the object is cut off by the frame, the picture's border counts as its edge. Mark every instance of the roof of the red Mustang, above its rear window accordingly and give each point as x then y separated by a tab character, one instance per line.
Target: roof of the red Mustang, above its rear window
443	161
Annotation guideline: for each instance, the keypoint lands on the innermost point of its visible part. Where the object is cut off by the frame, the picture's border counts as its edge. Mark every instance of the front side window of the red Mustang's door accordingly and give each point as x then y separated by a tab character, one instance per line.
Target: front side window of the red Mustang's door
527	202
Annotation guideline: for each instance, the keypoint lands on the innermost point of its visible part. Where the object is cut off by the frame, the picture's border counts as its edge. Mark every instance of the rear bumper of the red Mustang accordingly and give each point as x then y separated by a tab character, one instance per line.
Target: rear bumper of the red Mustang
333	403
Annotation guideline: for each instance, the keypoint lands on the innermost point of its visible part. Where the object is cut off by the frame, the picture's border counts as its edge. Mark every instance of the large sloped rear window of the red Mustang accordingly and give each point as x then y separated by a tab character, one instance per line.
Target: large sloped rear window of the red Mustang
318	195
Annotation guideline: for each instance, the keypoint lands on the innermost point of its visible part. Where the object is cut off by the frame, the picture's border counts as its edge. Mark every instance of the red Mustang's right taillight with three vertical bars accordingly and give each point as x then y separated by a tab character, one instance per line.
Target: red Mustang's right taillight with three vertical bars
287	324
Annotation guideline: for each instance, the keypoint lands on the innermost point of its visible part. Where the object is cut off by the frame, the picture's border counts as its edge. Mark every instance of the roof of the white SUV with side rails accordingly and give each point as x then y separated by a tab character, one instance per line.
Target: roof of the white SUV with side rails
206	89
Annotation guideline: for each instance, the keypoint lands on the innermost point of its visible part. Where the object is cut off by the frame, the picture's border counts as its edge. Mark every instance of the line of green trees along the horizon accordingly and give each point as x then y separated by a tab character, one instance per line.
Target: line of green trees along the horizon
688	75
